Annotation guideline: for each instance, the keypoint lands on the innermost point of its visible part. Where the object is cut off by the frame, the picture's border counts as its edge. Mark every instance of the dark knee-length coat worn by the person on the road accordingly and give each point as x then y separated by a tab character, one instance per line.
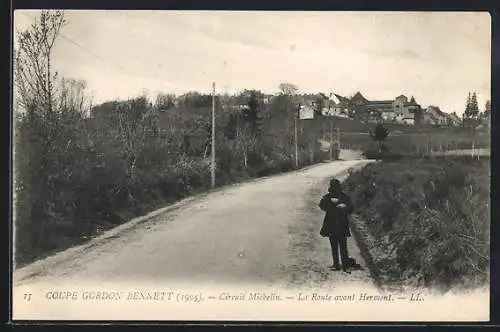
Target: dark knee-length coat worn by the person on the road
336	221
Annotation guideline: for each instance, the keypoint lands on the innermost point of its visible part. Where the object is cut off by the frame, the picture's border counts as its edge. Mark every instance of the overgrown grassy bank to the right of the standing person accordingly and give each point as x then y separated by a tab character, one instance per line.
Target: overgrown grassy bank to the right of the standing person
428	220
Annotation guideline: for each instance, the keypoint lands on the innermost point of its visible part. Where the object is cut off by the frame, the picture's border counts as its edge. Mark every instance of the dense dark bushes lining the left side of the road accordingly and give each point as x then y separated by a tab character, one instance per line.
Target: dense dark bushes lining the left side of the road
77	176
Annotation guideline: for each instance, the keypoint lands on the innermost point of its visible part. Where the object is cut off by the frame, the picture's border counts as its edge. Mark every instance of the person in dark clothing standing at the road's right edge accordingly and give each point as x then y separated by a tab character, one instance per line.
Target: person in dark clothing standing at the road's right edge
337	206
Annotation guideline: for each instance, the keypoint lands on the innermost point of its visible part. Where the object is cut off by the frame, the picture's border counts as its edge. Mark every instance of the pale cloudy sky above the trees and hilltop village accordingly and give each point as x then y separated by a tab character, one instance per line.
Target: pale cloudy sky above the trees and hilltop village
437	57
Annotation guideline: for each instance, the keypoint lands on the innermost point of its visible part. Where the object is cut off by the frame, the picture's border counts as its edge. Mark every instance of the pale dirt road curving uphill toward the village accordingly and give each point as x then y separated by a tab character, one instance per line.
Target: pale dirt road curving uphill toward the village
265	231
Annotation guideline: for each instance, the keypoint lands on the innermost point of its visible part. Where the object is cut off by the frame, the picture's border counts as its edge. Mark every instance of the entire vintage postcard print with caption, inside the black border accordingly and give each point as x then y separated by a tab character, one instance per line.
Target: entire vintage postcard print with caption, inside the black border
314	166
